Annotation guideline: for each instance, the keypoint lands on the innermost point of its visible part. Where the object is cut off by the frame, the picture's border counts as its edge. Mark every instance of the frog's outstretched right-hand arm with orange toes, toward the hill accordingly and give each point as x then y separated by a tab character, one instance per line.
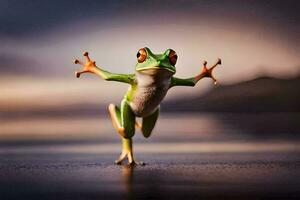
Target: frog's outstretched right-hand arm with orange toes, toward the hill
192	81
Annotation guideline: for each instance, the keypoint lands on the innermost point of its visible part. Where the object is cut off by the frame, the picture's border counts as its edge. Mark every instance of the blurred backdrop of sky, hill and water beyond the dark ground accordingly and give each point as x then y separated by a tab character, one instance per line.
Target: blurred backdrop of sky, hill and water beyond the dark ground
257	98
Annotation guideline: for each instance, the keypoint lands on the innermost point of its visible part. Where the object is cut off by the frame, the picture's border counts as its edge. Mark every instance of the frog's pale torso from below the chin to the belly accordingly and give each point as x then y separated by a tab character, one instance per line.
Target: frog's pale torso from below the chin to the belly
148	93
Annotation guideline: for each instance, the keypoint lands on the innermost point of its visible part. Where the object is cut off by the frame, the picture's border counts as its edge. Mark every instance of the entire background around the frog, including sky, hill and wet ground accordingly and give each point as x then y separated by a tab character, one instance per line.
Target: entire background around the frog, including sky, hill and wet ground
227	140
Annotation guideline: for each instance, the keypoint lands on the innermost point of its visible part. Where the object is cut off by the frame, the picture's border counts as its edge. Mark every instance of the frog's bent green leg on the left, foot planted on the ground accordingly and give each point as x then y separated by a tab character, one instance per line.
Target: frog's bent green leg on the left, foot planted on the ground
123	120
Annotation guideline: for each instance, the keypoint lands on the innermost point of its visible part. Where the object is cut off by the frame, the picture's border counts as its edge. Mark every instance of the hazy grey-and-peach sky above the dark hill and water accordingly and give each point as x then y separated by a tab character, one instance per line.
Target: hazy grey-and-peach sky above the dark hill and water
39	40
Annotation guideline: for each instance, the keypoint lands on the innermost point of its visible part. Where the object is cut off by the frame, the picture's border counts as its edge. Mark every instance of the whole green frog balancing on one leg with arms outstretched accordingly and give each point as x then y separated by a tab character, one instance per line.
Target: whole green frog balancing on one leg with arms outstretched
139	109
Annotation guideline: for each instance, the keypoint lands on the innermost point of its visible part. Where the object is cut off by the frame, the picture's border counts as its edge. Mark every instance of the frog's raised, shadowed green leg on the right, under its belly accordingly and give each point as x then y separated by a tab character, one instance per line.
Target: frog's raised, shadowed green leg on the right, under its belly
148	123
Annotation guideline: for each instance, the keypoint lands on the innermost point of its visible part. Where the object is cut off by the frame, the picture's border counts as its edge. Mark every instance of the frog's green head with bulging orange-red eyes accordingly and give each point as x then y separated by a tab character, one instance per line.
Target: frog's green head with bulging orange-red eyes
148	61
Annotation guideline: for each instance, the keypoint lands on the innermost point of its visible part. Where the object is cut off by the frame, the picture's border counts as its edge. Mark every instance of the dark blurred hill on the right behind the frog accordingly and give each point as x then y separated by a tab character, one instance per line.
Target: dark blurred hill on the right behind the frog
262	94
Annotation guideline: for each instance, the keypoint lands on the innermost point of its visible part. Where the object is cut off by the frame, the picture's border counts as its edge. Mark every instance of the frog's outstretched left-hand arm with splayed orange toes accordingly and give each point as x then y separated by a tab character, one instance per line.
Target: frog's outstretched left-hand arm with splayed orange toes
90	66
